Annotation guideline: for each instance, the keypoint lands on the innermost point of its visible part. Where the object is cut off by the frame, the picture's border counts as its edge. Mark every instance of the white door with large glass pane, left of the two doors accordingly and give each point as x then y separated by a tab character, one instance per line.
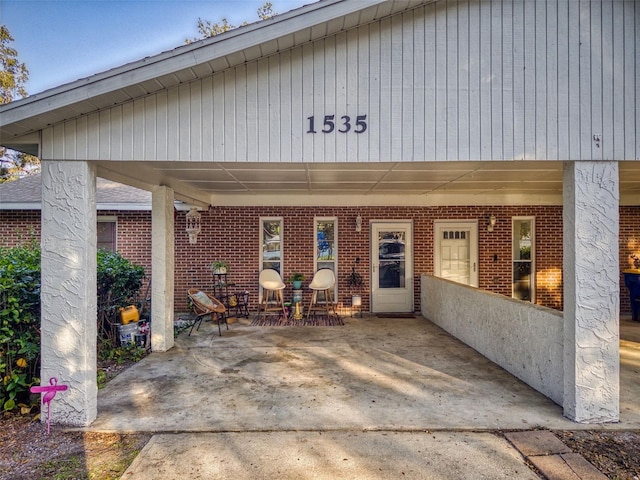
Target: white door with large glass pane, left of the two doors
392	266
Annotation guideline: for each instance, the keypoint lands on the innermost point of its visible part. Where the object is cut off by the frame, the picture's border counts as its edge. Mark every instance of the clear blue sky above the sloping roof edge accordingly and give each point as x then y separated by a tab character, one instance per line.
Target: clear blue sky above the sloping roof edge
61	41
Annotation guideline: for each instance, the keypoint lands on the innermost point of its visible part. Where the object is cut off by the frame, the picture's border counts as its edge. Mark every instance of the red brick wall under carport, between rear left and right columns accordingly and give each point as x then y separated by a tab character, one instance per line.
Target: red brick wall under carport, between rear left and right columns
232	234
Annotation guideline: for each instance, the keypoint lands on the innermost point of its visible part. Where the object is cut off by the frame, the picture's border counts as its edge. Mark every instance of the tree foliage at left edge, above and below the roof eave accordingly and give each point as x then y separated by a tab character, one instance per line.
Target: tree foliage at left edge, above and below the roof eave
13	77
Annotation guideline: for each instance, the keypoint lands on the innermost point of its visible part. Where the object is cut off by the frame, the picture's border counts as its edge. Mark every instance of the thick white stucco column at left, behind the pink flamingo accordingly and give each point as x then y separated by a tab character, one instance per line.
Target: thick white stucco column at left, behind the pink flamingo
69	291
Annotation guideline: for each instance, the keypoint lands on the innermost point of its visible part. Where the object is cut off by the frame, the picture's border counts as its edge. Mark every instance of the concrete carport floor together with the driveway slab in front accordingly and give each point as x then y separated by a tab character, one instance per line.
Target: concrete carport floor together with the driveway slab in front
376	398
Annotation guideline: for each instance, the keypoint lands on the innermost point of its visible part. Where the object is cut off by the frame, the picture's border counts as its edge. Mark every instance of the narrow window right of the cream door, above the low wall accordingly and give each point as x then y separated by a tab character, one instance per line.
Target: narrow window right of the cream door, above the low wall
523	284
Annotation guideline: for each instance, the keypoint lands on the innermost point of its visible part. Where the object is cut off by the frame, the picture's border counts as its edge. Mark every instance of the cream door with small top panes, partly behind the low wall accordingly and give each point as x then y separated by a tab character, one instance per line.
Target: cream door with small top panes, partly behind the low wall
456	251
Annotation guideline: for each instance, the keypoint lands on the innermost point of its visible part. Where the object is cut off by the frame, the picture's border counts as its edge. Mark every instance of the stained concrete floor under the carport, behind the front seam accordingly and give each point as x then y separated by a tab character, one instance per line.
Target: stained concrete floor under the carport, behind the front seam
371	374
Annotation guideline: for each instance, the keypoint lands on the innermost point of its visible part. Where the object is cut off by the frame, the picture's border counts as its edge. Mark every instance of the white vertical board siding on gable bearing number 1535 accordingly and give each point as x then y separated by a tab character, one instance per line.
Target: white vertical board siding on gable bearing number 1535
451	80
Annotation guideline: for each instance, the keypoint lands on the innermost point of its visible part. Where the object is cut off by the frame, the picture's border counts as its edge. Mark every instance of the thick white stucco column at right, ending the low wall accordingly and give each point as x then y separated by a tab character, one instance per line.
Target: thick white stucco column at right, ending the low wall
591	291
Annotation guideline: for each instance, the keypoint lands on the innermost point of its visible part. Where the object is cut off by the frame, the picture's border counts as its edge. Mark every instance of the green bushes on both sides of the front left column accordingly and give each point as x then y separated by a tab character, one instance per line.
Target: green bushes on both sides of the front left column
119	281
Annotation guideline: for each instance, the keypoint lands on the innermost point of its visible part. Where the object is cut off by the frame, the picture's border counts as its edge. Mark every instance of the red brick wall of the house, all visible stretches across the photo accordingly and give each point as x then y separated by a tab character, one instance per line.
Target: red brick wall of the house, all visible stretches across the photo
232	234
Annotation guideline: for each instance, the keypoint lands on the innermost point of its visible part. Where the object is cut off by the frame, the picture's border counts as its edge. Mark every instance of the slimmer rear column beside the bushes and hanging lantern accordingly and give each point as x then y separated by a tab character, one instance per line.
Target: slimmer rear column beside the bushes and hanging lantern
162	269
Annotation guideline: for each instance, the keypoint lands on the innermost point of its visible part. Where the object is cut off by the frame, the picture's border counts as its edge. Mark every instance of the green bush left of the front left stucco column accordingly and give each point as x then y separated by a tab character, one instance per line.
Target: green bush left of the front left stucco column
19	324
